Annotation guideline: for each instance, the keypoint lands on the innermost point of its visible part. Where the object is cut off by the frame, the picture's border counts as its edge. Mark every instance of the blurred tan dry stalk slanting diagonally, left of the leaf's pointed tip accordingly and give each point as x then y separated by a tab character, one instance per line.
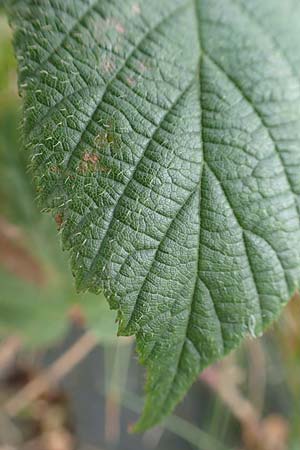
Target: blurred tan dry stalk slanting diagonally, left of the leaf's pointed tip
58	370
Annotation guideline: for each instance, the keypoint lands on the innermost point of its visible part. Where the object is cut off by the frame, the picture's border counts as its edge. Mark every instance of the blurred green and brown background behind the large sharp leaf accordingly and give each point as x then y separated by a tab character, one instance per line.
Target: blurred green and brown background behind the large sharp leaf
67	382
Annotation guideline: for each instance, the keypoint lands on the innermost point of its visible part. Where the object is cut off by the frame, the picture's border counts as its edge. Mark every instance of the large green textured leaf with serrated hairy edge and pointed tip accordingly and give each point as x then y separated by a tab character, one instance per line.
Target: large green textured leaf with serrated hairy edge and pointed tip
166	135
